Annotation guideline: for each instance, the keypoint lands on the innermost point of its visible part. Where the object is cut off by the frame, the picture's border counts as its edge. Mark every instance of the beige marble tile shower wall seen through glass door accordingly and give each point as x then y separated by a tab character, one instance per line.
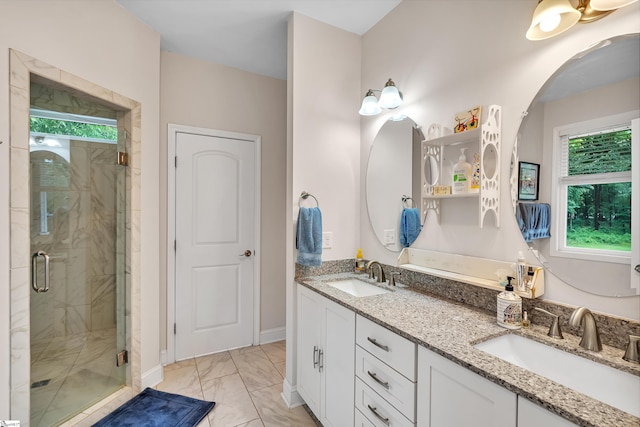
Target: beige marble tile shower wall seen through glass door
81	243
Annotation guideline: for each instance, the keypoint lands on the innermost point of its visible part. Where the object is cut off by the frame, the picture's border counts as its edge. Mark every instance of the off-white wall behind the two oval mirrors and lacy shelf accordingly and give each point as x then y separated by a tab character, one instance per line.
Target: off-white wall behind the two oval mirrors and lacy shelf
448	56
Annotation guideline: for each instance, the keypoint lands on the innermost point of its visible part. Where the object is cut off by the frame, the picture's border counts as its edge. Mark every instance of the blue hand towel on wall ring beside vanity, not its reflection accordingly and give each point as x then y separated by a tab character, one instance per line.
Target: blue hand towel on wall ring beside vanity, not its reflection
309	237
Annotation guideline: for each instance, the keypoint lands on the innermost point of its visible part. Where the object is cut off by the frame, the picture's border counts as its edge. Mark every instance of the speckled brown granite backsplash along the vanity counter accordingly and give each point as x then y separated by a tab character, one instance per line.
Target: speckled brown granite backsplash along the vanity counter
614	331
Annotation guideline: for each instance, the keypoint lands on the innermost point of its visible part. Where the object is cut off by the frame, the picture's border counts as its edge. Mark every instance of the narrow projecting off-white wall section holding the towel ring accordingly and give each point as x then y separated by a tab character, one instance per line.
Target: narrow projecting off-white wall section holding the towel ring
323	143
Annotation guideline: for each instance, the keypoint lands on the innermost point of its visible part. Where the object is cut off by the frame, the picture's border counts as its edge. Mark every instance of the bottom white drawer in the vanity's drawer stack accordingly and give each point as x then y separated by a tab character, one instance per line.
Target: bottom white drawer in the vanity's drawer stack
377	410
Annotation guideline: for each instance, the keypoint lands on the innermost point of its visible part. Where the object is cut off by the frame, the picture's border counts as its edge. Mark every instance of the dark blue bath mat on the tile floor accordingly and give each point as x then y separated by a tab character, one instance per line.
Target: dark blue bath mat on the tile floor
153	408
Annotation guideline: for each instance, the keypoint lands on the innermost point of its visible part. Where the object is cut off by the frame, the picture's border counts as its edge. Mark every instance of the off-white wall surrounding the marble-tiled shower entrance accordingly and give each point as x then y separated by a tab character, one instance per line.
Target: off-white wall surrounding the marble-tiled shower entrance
117	52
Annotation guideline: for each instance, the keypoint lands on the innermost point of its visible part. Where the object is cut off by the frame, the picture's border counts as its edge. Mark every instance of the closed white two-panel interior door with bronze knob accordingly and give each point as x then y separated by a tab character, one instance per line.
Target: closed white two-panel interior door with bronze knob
215	208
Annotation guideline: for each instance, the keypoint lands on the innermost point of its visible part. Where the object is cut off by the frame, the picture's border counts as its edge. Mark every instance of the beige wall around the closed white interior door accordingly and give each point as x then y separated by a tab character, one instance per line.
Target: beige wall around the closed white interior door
202	94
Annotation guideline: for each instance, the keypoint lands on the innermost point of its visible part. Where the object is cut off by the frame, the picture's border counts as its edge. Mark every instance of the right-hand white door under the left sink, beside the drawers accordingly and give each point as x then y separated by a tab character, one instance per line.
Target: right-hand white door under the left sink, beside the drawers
338	365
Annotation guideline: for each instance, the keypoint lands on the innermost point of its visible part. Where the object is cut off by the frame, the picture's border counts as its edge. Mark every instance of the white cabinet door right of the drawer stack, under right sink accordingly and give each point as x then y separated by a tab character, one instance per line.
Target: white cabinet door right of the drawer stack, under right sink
450	395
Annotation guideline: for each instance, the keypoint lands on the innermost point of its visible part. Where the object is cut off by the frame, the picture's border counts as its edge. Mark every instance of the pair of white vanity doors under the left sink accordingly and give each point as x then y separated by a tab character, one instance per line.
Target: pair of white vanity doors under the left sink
326	354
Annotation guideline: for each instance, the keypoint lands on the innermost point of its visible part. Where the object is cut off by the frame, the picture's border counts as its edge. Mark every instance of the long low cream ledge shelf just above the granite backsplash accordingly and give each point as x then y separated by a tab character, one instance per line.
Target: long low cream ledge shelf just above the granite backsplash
474	271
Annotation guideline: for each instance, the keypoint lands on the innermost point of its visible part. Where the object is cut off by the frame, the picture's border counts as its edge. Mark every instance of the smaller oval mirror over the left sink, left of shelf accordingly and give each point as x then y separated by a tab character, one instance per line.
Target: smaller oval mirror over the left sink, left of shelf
393	172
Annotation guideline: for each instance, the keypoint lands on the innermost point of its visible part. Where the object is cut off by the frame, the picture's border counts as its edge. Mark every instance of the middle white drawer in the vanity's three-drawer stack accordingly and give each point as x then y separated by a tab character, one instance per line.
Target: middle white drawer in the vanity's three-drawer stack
387	382
